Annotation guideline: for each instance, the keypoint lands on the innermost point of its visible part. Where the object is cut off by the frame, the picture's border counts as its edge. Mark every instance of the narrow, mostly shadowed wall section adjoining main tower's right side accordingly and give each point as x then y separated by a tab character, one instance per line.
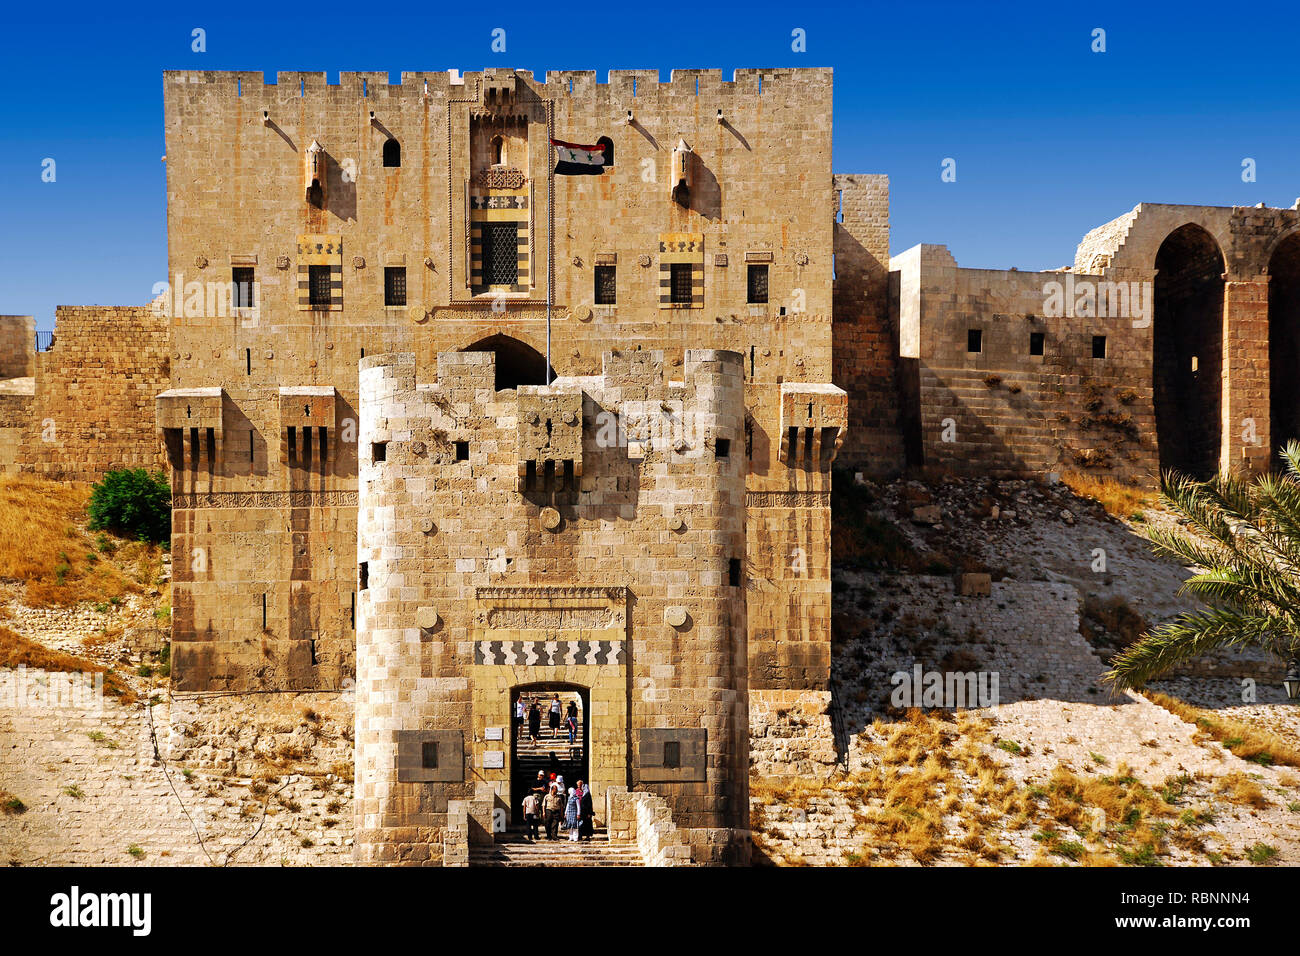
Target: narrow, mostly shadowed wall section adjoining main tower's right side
866	340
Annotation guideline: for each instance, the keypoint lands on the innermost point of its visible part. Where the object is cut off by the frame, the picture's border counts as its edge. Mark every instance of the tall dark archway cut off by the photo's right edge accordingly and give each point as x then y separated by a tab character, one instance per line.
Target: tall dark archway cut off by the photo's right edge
1285	343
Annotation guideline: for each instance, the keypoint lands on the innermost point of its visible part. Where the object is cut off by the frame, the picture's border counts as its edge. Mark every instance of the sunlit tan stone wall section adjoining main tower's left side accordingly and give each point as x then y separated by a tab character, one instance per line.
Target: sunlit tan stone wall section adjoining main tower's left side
93	409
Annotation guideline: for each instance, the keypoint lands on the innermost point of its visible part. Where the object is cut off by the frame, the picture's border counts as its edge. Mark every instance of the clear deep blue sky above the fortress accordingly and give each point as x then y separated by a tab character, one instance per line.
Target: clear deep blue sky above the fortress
1051	140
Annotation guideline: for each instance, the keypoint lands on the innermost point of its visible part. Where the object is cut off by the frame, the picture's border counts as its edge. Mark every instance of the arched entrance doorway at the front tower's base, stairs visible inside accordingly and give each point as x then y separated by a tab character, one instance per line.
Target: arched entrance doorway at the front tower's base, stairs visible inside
551	751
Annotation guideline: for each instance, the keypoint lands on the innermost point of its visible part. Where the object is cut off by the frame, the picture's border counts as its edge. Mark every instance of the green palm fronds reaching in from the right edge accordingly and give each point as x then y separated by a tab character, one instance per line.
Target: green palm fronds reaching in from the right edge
1243	543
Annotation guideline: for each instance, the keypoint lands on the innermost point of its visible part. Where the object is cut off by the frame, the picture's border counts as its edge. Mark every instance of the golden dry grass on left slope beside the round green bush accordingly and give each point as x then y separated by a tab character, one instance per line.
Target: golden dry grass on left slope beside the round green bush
47	550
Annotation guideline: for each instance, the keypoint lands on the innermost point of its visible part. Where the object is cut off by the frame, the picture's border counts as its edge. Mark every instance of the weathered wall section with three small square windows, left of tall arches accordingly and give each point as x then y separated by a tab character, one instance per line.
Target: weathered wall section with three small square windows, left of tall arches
1003	410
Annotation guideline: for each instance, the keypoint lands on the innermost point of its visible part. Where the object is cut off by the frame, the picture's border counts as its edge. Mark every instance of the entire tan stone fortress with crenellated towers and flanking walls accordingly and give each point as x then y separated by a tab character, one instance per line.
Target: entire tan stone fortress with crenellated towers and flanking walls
380	483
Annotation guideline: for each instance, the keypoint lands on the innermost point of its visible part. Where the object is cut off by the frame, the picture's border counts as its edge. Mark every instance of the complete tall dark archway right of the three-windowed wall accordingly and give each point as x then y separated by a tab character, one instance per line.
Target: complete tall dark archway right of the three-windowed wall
1188	352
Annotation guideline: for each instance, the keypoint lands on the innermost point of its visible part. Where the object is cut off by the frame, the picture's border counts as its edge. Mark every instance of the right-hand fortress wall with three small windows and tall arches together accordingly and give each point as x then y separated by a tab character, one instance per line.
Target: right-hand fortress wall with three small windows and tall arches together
1202	379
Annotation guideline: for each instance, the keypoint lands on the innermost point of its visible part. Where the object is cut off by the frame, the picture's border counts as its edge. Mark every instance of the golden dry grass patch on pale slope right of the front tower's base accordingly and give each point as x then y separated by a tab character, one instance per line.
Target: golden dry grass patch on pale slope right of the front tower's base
938	794
